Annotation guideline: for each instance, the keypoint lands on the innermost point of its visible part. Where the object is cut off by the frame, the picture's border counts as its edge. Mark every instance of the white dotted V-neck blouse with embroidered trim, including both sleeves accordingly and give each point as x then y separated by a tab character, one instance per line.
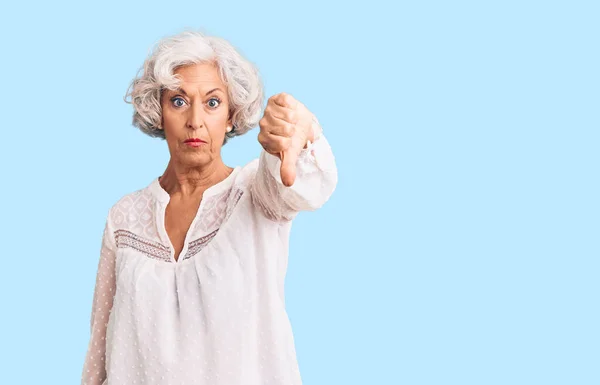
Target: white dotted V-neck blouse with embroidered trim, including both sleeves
215	315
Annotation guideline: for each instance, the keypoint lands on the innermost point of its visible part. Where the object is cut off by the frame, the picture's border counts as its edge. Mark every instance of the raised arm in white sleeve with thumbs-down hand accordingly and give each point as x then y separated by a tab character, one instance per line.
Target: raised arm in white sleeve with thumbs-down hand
297	170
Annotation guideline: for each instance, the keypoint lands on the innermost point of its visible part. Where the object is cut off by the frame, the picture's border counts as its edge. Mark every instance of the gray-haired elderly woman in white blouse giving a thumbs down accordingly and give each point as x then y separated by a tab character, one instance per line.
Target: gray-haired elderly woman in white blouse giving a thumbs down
190	281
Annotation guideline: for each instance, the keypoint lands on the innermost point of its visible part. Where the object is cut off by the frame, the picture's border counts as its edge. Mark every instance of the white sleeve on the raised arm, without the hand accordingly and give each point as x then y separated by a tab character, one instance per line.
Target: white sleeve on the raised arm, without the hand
316	179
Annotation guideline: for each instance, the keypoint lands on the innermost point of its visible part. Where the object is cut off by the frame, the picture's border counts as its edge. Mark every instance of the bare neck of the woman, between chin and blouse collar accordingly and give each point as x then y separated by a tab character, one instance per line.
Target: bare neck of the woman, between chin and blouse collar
190	181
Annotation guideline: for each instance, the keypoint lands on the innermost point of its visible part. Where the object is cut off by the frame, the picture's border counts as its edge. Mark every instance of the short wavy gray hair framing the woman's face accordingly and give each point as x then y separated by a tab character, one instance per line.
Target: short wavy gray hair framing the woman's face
241	77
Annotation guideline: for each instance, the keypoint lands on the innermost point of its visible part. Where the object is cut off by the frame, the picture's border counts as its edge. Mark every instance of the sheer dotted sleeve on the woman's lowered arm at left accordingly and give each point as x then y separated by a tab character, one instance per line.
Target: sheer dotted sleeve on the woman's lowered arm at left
94	369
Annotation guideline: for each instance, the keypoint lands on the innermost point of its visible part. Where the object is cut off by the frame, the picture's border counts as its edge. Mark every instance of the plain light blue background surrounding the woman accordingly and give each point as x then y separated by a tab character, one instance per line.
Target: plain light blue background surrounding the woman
461	245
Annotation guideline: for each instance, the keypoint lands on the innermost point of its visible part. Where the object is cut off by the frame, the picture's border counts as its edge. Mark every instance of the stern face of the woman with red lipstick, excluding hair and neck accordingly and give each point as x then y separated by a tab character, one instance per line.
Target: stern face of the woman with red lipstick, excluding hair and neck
199	109
